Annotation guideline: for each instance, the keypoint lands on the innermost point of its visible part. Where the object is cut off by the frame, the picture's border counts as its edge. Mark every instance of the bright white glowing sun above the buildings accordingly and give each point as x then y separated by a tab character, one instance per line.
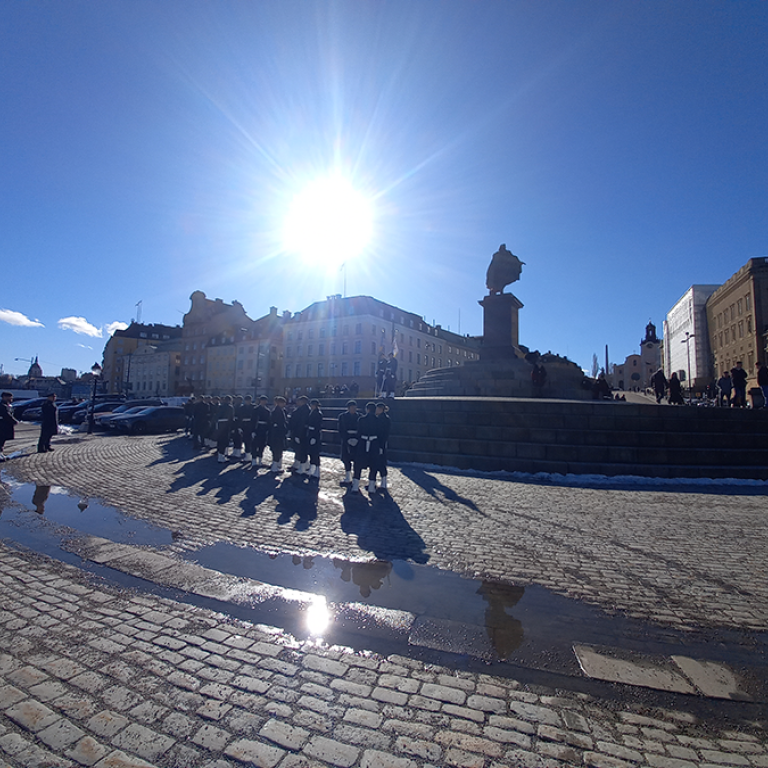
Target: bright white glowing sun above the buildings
329	222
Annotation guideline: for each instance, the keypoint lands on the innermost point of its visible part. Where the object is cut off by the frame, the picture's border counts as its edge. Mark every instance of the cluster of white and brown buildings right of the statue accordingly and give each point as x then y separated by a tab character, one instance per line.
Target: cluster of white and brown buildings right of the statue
706	332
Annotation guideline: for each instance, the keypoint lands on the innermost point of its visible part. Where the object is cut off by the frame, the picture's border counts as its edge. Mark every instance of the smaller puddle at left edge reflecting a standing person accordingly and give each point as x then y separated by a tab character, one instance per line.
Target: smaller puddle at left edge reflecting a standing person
36	512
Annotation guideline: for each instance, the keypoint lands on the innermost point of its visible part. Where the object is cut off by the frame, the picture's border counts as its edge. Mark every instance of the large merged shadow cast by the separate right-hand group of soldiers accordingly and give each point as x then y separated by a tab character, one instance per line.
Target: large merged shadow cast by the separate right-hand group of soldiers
381	528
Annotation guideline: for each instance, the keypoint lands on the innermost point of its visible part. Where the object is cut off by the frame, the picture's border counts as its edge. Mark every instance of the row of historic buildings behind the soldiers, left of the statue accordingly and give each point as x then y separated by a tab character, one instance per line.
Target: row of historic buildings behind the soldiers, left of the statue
336	345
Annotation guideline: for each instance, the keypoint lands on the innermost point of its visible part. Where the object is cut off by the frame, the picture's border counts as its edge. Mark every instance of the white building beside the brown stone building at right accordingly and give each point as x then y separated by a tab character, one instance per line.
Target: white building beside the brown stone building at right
687	320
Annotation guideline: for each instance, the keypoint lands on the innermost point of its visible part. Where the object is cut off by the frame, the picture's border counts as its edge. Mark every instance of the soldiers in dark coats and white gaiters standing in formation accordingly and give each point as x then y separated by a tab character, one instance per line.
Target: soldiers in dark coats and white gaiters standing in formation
250	427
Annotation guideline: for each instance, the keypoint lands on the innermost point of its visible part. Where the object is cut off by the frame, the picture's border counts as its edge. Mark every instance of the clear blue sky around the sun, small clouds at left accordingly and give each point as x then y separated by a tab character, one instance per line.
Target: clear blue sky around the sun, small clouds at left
150	149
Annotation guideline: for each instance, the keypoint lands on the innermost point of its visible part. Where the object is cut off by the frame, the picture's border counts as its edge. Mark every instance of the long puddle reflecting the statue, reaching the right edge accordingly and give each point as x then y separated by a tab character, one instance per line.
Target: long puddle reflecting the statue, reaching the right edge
491	620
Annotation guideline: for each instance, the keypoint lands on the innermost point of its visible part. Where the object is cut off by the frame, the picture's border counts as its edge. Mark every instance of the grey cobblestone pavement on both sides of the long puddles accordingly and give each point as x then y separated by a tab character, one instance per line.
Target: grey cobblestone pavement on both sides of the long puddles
94	675
